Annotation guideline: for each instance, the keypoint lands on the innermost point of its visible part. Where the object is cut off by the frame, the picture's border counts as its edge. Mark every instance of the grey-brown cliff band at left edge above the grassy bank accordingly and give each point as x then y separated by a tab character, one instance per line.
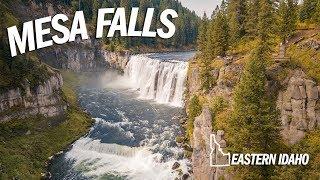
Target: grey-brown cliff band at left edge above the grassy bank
45	100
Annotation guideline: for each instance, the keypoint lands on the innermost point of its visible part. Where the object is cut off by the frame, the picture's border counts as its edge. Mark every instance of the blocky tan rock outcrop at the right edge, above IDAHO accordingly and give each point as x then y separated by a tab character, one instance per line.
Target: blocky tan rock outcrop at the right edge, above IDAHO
299	105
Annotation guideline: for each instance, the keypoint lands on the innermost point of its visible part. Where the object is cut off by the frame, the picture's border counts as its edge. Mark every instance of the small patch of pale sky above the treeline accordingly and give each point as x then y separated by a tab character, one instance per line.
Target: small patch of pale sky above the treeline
200	6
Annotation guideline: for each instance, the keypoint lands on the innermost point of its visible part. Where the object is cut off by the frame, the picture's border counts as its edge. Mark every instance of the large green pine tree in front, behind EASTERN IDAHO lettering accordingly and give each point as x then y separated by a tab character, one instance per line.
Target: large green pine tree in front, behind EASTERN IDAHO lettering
254	122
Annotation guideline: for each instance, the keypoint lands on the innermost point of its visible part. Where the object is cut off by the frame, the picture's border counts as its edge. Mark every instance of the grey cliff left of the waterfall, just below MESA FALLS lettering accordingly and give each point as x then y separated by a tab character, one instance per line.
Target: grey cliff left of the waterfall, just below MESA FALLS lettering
84	56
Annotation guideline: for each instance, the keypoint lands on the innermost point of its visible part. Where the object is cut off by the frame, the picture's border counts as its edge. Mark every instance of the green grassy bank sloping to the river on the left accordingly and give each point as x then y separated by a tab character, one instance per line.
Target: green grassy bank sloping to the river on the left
26	144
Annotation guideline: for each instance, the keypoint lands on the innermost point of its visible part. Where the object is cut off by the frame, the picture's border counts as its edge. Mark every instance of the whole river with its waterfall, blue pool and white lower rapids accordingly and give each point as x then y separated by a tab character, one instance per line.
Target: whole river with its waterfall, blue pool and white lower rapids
136	123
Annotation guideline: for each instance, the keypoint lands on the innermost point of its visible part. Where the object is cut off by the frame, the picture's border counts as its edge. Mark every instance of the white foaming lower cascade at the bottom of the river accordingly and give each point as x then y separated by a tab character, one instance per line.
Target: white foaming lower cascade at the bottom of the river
130	162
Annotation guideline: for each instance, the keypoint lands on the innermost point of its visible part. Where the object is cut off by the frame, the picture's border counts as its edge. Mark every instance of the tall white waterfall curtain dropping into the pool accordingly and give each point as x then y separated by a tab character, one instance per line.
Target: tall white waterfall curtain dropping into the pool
159	80
